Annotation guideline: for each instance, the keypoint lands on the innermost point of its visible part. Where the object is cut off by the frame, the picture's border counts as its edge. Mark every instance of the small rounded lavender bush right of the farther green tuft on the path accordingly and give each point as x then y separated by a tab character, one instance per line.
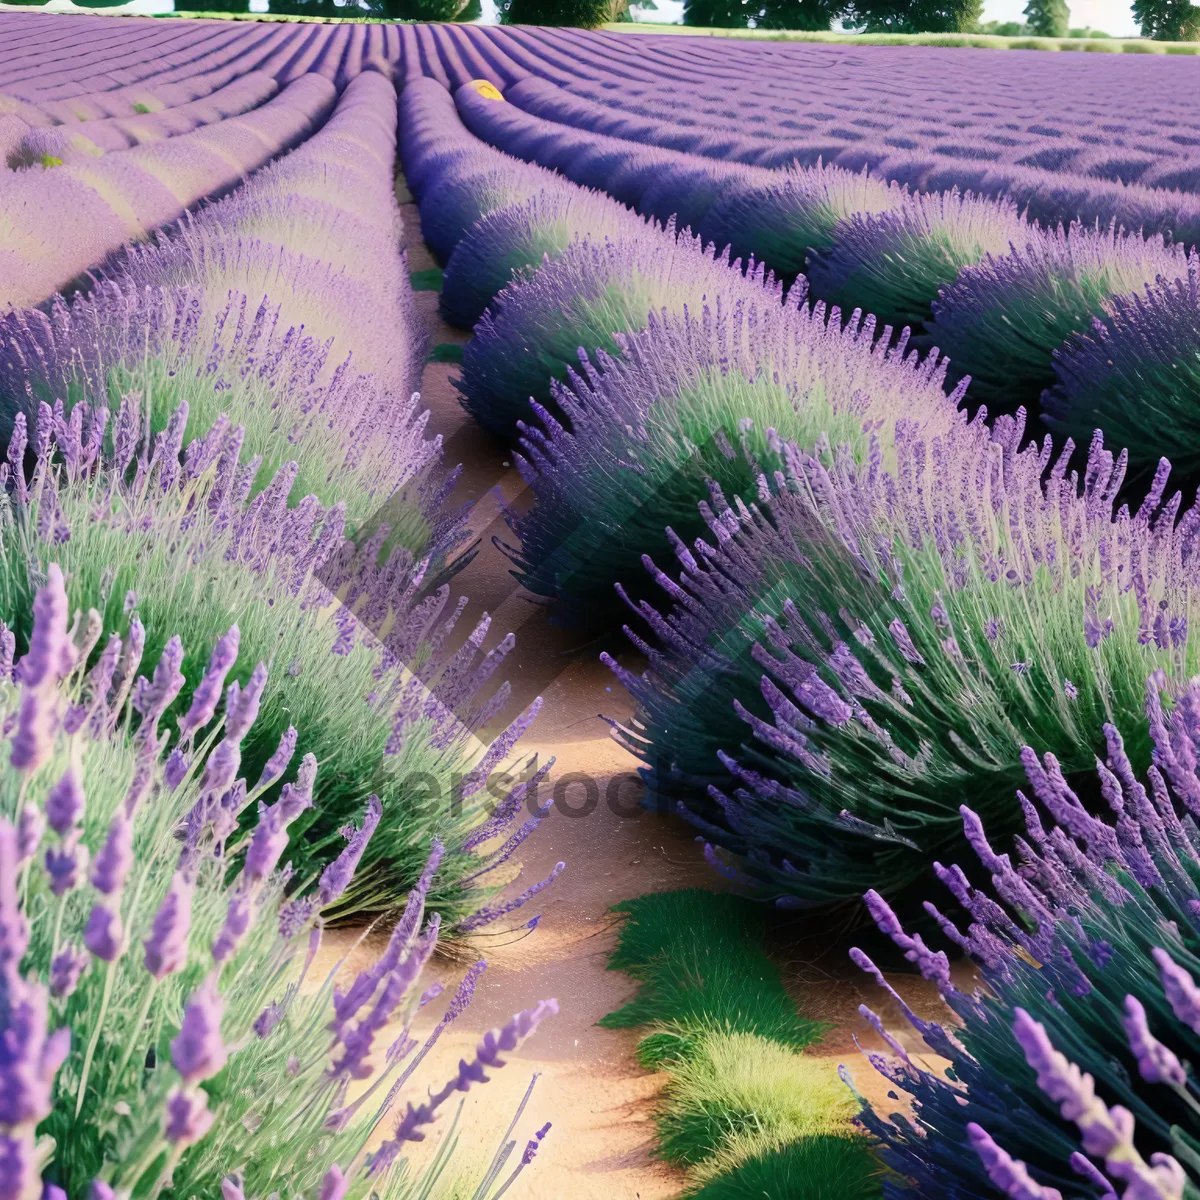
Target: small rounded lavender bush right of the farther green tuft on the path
511	243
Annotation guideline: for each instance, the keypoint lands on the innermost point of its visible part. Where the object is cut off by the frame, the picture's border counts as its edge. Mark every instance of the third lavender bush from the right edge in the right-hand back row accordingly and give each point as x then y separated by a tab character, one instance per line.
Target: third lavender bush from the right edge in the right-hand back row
896	262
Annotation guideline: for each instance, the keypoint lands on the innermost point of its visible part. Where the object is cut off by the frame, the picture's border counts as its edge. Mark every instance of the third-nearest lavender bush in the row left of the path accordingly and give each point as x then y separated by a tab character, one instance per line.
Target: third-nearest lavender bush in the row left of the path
166	347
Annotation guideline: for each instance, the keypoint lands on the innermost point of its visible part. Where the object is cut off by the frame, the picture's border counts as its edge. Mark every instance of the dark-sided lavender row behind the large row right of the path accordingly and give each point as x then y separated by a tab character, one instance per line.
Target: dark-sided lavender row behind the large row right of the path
1011	303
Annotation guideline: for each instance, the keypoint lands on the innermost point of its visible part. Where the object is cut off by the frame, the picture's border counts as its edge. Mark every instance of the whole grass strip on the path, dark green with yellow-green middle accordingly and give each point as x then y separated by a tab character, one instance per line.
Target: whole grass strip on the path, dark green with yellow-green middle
746	1112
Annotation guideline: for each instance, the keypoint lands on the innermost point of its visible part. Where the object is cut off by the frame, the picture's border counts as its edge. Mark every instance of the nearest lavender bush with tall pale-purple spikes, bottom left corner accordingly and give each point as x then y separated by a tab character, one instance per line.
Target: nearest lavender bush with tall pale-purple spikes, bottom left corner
227	1012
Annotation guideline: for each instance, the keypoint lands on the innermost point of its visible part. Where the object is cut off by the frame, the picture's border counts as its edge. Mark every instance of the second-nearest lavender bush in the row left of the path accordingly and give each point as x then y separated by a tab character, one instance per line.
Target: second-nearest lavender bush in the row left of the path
362	651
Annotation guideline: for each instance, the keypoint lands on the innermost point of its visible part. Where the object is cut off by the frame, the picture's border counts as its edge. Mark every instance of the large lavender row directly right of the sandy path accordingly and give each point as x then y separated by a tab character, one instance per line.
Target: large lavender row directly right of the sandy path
878	611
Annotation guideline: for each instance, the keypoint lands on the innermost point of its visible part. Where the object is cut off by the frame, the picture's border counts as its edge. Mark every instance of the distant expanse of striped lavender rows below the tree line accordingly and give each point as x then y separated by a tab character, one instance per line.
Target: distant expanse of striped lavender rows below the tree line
932	118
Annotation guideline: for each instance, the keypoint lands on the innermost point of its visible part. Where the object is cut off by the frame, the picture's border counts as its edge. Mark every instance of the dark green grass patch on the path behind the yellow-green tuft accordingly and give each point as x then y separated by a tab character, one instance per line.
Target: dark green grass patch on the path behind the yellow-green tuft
703	967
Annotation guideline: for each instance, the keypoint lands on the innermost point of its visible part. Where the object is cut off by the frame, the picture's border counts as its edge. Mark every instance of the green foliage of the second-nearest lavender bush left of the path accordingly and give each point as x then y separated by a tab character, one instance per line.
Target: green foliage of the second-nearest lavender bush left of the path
193	569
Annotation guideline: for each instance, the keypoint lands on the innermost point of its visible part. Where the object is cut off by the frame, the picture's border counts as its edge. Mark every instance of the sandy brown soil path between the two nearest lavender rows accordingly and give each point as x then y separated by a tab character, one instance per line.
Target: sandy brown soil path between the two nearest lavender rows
590	1087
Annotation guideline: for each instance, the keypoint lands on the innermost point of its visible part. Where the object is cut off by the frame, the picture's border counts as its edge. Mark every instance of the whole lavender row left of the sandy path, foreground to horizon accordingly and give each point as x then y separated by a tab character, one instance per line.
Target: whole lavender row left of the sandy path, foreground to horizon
194	452
